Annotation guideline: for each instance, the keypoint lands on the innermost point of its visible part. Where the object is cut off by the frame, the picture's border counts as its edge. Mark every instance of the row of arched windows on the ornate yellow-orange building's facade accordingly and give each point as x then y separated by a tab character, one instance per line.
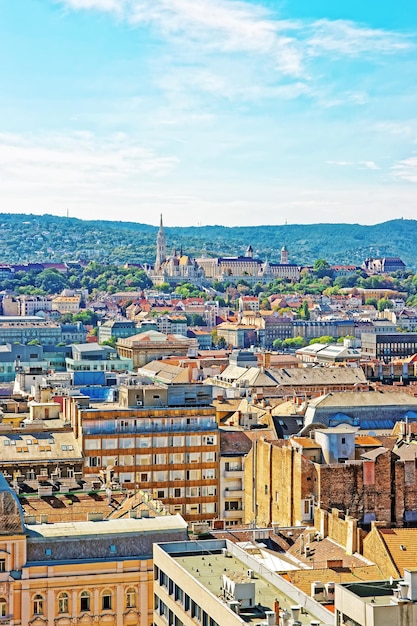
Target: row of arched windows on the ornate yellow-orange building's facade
85	602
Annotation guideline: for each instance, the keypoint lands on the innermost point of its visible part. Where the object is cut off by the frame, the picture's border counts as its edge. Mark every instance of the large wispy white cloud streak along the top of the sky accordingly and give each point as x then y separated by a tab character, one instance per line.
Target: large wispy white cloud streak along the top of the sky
241	26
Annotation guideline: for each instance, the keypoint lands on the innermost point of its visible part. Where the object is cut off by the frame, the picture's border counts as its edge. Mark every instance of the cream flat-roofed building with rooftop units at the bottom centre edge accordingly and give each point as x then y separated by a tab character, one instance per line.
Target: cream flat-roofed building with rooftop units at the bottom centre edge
217	583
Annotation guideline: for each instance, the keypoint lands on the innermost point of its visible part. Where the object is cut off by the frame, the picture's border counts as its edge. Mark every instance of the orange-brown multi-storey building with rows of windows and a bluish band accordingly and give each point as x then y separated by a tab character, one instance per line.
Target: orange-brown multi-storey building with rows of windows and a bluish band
170	452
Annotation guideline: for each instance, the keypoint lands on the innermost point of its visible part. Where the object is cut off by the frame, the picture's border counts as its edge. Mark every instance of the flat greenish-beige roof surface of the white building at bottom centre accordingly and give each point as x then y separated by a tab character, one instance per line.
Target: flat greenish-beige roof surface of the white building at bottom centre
209	569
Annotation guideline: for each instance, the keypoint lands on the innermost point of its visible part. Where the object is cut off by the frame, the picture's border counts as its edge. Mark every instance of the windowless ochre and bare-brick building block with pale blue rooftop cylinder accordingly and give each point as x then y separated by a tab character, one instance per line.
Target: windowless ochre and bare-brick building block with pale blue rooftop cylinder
340	468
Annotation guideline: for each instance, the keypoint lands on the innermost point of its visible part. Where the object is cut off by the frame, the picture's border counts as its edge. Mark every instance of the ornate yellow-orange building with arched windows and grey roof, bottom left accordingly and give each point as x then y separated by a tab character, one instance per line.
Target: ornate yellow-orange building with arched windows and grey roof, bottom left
80	572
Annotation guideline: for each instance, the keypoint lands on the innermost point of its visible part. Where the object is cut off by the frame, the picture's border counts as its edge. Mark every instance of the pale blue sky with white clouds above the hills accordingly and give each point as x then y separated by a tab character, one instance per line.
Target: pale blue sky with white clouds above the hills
232	112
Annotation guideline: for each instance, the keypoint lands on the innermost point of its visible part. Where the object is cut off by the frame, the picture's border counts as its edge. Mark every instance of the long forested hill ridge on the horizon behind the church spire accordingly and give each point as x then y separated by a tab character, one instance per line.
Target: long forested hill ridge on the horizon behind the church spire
51	238
